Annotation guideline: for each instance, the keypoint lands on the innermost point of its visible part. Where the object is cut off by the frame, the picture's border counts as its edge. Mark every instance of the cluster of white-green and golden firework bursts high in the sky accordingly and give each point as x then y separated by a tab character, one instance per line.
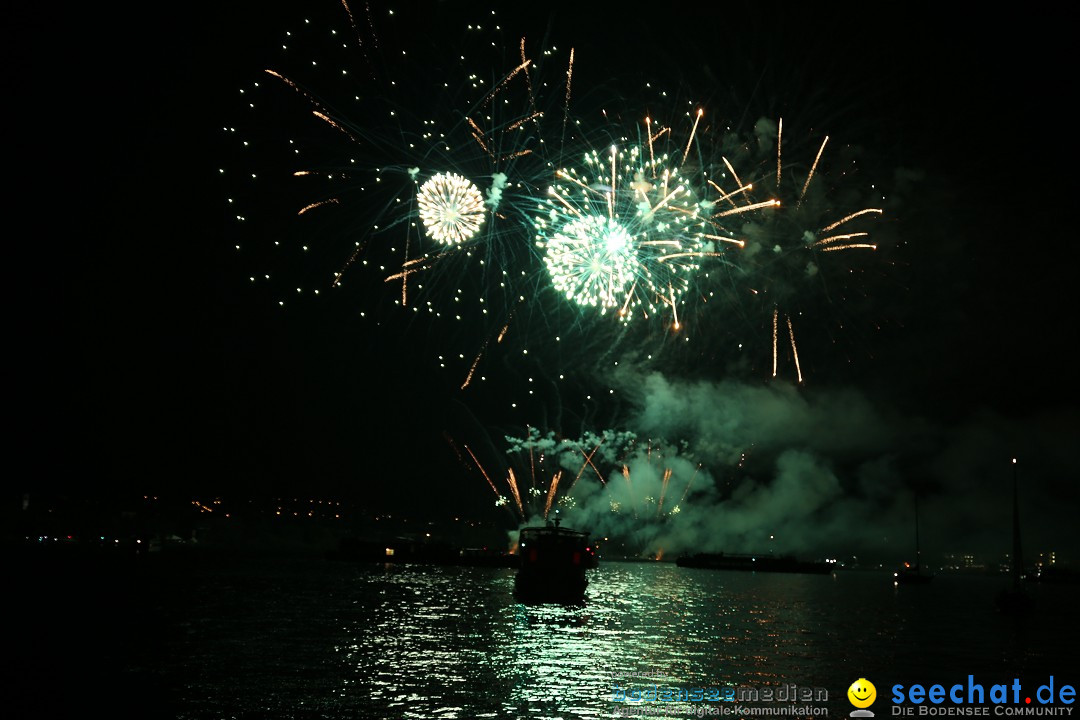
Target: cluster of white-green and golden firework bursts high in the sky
480	207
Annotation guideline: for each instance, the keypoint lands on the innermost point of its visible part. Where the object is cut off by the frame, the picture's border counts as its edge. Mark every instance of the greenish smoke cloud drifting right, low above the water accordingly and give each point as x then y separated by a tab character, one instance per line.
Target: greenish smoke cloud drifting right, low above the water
728	467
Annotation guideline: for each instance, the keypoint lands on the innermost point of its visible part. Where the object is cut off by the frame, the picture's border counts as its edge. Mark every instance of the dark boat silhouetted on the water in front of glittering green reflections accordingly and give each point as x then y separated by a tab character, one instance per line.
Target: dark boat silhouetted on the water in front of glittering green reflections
553	564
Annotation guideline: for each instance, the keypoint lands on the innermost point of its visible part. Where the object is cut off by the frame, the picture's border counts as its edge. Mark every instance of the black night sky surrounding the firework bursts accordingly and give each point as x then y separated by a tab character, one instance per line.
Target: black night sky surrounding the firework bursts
146	363
